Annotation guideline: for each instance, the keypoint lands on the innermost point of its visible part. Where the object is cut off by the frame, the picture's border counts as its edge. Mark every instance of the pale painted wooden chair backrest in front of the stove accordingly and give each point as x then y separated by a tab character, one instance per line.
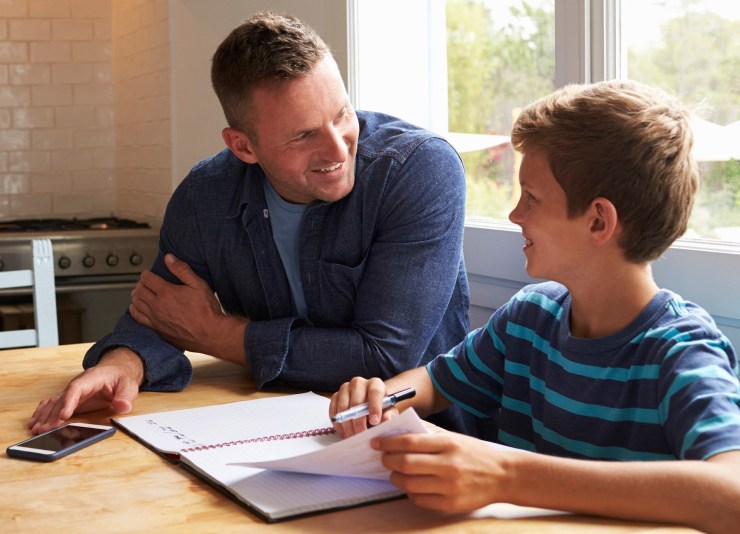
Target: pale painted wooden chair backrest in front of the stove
40	278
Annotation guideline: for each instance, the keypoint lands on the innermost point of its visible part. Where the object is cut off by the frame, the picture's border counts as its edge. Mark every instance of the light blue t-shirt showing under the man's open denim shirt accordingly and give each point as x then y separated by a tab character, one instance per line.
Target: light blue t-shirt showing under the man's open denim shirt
285	219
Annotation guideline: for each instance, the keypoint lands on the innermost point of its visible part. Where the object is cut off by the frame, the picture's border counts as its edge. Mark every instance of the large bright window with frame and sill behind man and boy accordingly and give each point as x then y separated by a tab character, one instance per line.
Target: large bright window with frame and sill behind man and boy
462	67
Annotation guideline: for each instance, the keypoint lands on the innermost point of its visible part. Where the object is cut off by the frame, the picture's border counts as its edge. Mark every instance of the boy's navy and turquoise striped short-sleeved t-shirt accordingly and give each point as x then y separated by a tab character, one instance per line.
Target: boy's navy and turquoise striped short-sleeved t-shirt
665	387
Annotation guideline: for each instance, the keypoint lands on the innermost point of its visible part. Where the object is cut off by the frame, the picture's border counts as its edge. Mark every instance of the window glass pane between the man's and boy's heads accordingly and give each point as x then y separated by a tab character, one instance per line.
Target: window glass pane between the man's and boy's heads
500	57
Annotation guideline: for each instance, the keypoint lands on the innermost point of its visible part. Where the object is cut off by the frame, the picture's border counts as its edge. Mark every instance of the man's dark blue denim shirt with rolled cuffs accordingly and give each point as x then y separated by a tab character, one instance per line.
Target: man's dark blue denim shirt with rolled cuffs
382	269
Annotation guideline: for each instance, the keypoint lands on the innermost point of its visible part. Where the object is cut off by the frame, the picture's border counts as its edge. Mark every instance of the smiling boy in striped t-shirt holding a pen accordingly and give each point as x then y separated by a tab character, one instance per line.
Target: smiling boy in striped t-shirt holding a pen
598	365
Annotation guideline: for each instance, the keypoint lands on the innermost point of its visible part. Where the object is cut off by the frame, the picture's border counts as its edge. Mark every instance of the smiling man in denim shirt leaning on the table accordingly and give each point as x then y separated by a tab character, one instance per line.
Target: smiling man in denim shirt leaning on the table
332	239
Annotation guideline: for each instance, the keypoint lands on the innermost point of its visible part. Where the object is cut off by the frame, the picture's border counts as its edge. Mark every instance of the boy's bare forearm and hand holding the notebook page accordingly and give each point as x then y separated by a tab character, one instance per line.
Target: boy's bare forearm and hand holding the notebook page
452	472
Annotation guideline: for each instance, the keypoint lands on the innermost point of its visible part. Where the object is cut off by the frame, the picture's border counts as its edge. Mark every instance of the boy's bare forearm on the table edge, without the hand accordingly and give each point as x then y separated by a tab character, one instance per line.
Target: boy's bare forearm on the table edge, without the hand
701	494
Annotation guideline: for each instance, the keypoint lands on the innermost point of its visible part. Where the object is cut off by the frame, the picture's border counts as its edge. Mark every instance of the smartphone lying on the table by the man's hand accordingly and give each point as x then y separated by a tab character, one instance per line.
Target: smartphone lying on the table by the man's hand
59	442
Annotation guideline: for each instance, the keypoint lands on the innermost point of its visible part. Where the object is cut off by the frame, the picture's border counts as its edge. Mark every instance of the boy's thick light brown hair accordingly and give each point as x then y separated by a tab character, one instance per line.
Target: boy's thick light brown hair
627	142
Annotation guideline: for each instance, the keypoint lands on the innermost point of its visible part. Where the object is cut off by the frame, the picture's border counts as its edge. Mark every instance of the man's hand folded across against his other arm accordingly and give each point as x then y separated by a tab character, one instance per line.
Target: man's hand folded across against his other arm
189	316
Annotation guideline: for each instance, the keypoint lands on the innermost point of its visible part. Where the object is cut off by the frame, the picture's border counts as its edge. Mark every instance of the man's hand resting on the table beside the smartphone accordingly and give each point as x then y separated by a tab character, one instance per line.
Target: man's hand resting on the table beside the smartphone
113	383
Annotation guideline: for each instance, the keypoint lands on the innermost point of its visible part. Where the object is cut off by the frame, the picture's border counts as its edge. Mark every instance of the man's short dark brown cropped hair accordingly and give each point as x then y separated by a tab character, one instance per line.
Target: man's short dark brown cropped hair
266	48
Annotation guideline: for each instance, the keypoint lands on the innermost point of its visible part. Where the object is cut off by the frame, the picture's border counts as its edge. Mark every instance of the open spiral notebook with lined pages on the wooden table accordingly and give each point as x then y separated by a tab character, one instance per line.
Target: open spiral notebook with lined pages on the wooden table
278	457
